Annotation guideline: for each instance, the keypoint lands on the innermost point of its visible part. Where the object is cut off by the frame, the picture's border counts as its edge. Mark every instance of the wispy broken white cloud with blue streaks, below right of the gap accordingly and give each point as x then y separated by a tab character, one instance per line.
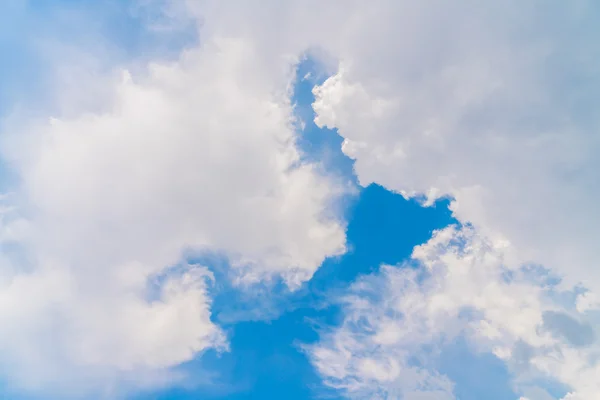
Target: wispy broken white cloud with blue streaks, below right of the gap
398	322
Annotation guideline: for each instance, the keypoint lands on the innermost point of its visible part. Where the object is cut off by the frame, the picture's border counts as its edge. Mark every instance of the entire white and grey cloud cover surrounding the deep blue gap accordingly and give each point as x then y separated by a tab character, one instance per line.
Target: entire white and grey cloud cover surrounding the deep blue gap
492	104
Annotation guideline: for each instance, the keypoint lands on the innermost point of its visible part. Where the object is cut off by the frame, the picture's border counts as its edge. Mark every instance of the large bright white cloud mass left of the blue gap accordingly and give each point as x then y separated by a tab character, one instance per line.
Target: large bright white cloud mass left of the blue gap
196	154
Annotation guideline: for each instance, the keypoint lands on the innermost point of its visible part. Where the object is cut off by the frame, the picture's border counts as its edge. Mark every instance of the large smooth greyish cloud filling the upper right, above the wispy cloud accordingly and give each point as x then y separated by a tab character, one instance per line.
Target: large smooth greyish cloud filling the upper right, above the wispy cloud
492	104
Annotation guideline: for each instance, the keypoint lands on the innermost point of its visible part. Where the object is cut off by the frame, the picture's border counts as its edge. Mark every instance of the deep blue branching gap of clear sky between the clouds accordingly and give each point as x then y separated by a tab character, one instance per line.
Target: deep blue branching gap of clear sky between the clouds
267	324
